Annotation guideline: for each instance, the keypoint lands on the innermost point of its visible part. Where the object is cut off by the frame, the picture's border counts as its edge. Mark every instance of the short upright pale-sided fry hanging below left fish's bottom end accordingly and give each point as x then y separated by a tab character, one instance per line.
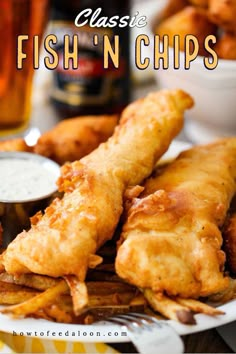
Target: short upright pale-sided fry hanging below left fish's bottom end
79	294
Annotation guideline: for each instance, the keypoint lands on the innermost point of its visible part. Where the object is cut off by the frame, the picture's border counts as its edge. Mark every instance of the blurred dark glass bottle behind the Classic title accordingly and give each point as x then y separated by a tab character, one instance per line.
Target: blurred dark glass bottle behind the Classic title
90	89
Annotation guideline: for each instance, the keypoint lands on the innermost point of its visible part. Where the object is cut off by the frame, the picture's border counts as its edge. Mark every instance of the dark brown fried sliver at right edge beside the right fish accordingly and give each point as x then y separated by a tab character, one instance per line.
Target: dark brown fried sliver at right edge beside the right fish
229	236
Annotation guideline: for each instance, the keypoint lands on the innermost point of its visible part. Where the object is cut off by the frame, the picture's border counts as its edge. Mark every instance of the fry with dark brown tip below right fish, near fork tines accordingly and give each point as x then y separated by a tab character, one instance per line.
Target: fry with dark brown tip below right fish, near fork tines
169	308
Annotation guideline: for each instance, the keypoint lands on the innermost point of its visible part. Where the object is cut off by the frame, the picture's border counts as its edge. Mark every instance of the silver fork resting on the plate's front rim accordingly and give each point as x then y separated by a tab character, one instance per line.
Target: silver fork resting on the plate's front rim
149	335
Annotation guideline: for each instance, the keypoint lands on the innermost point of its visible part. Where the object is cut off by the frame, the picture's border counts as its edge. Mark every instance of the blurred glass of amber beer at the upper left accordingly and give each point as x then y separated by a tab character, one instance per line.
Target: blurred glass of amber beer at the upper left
18	17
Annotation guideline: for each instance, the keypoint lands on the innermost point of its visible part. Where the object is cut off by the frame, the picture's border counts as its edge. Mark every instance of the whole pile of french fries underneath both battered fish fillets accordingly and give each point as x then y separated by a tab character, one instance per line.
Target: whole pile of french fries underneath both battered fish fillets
39	296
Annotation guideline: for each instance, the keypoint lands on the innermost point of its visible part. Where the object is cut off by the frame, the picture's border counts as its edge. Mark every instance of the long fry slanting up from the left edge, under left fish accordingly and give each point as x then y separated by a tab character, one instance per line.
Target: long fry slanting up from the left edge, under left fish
38	302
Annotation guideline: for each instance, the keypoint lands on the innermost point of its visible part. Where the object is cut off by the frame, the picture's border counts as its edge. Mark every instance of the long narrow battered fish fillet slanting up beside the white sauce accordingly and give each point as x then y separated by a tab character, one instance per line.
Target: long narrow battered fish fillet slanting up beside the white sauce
64	240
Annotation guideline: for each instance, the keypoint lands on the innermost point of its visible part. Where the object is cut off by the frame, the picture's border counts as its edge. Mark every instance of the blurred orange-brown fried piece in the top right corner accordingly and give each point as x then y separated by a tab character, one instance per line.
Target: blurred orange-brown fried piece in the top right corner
223	14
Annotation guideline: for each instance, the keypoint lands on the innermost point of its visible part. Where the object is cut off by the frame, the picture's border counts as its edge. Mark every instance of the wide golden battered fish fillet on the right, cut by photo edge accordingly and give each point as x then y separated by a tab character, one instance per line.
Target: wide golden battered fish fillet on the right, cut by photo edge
171	241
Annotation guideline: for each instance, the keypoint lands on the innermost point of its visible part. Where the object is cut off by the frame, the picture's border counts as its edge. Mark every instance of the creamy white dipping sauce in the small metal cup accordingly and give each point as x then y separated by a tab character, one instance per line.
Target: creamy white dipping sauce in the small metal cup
25	179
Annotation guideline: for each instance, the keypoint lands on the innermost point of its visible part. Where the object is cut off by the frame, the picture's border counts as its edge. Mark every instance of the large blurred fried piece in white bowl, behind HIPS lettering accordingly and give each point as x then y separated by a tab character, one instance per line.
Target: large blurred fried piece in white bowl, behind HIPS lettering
190	21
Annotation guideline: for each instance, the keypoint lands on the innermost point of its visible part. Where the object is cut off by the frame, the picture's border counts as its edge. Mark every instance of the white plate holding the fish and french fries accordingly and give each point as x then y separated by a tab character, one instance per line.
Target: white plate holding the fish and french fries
104	332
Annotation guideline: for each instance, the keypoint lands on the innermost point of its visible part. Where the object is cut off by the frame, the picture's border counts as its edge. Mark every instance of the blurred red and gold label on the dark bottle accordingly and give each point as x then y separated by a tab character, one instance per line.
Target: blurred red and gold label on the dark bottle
90	84
